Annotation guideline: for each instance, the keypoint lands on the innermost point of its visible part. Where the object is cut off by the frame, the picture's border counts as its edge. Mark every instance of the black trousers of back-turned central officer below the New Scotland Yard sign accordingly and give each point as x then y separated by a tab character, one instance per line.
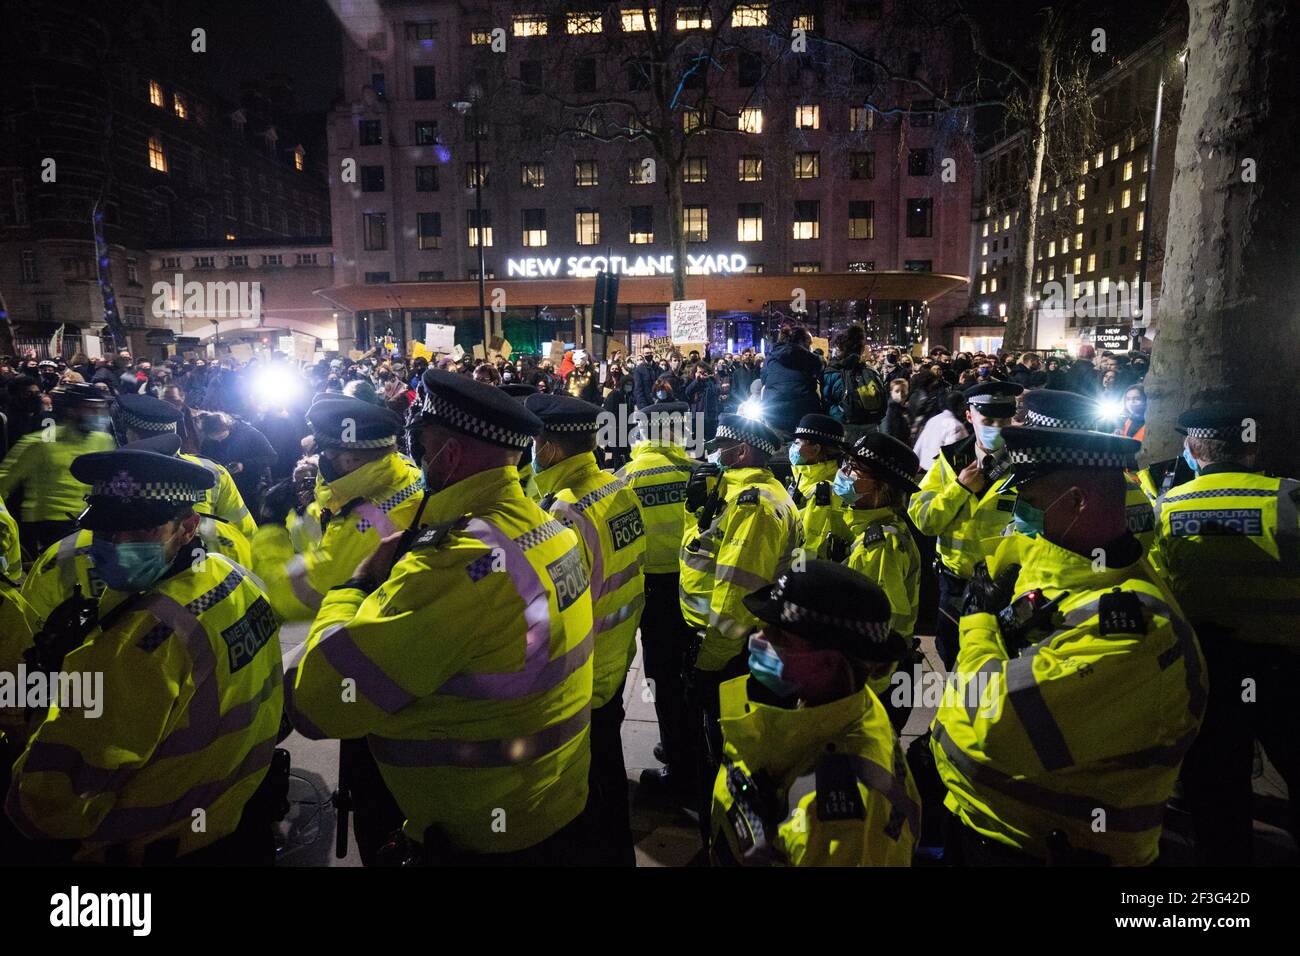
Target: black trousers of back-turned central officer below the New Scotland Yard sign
666	642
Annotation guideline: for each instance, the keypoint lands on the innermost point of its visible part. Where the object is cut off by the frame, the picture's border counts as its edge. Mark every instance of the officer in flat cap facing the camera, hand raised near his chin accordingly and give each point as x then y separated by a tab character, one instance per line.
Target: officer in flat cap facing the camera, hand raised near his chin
960	505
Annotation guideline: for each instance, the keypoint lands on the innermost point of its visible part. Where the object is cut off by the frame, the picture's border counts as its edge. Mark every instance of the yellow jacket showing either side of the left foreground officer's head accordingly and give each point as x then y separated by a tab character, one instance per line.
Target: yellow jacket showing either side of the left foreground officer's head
67	564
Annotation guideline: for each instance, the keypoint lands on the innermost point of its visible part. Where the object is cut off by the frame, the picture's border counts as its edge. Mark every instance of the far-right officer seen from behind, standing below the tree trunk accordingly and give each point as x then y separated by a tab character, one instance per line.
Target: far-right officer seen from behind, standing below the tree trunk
1229	544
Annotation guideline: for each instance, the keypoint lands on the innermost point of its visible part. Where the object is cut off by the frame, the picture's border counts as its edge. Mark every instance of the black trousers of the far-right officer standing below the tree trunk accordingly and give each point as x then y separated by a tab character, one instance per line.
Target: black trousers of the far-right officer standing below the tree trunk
1219	767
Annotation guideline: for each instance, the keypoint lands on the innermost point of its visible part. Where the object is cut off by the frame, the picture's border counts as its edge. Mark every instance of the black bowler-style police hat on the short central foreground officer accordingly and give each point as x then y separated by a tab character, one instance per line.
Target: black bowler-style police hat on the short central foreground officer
831	607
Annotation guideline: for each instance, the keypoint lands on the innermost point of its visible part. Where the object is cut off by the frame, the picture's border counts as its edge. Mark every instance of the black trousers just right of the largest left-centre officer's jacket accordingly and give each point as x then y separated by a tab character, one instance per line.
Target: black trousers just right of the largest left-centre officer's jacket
609	817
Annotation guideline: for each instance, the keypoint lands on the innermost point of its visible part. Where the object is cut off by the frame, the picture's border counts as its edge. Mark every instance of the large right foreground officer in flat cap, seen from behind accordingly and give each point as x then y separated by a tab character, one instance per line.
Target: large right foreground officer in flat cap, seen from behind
1081	686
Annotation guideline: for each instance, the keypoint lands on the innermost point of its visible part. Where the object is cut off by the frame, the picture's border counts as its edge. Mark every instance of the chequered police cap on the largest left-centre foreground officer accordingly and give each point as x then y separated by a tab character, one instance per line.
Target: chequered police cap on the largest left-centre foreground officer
482	412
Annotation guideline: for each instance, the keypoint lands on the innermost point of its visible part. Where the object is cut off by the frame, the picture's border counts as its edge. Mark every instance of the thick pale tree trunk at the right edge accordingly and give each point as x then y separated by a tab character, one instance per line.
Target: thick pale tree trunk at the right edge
1229	315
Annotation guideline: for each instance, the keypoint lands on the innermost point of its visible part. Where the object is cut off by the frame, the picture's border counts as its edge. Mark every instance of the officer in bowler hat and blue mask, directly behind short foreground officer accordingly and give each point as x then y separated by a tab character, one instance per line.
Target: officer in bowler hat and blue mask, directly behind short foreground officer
874	483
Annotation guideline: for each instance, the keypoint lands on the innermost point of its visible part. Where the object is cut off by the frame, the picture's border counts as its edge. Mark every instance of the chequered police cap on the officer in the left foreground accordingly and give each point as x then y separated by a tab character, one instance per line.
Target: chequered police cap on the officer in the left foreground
133	490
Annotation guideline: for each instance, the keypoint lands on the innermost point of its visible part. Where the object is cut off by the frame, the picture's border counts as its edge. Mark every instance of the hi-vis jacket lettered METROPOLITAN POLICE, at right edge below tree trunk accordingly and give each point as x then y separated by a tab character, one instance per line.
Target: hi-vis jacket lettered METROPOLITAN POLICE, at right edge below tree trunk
1229	546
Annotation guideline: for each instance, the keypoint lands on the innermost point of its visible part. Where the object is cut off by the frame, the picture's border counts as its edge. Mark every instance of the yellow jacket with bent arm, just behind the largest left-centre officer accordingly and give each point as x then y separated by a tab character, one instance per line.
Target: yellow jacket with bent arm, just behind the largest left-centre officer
358	512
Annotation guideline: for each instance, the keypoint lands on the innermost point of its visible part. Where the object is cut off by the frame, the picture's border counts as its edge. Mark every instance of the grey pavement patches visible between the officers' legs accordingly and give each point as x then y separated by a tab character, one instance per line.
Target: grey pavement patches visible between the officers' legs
666	837
